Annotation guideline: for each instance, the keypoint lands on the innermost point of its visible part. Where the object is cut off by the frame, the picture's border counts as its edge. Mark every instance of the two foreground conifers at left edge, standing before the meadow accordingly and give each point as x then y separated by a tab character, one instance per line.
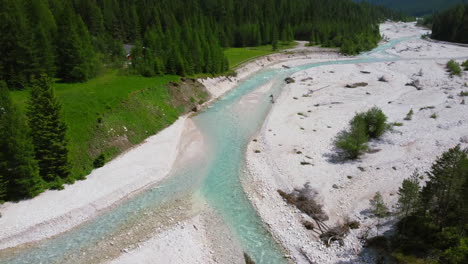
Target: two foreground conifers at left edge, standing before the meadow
33	152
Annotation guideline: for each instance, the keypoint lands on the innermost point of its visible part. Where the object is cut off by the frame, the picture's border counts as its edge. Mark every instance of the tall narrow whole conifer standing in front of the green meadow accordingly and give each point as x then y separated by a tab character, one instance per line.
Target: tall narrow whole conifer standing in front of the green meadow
48	132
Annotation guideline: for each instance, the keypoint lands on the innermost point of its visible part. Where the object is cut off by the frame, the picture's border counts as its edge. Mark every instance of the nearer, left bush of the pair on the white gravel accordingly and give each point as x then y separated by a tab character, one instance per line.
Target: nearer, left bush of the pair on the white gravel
353	143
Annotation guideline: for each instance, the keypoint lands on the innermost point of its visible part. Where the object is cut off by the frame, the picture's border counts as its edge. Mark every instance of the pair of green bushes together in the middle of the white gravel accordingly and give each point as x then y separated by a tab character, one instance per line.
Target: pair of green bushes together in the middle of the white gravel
351	143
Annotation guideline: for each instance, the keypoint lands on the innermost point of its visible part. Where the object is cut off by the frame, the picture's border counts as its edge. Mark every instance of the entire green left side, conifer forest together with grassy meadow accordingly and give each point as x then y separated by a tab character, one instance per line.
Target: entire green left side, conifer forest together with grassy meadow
50	137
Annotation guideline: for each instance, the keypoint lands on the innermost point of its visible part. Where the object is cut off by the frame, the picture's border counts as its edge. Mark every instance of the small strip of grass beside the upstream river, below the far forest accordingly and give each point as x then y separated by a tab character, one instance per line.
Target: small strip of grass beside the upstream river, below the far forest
237	56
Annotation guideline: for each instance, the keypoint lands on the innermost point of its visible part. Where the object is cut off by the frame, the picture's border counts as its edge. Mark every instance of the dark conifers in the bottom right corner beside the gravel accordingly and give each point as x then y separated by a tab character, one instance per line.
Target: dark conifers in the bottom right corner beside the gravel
433	218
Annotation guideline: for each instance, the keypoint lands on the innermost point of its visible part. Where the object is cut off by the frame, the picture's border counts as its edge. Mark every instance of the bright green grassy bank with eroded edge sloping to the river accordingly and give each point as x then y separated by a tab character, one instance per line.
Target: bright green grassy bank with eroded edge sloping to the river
113	112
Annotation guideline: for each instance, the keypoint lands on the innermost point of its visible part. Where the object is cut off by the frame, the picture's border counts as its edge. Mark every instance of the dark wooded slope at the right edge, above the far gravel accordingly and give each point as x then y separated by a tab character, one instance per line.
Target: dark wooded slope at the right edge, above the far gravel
451	25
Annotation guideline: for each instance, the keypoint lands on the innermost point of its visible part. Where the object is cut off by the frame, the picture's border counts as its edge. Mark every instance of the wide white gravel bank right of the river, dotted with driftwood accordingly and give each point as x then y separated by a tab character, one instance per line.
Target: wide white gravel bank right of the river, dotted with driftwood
295	143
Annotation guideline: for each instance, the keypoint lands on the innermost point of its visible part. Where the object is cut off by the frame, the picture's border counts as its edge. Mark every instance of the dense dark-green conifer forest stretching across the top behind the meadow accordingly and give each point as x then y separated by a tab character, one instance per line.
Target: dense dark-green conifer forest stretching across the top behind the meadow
72	40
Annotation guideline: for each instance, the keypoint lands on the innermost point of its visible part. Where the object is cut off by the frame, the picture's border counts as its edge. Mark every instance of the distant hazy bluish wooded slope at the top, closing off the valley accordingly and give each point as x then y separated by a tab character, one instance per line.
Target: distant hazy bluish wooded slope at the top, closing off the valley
416	7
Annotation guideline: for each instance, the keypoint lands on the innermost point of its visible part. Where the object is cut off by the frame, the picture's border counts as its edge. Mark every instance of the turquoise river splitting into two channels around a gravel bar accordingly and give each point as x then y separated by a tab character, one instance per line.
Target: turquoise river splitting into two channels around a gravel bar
227	126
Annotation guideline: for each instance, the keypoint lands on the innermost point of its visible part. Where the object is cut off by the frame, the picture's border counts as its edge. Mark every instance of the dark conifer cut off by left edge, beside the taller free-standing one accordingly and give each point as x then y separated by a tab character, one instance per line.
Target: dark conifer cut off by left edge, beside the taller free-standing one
19	173
